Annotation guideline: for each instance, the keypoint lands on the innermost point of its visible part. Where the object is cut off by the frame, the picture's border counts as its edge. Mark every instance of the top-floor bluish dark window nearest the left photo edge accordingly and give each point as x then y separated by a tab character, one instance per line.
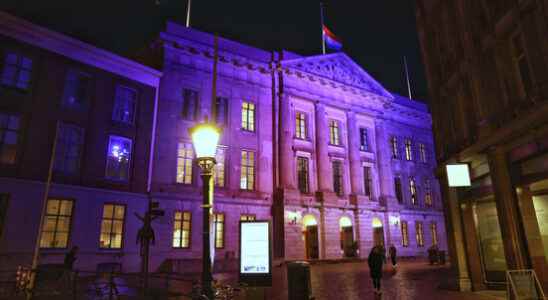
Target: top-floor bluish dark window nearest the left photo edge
17	71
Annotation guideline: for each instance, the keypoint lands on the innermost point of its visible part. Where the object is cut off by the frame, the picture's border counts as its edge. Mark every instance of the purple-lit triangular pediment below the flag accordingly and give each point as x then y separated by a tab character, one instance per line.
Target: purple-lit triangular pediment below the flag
340	68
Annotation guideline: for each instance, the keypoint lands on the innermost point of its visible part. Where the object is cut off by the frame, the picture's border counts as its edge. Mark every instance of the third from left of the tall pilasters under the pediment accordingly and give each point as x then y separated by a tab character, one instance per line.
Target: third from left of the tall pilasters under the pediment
356	177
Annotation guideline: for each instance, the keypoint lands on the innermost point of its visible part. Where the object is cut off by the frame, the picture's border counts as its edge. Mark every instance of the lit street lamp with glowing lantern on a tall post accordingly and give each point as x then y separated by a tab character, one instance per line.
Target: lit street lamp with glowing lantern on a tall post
205	137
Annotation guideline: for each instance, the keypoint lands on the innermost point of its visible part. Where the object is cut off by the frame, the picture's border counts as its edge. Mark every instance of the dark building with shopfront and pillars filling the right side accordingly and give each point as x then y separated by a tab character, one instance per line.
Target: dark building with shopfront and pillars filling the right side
487	69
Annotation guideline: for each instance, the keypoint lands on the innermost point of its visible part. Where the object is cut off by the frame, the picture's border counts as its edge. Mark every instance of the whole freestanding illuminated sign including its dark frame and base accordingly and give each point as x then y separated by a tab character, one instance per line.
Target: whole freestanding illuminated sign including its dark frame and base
255	253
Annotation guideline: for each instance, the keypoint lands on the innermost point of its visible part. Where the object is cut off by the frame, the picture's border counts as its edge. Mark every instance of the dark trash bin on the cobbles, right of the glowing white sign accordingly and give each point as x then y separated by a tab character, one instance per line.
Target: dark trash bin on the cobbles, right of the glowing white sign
298	281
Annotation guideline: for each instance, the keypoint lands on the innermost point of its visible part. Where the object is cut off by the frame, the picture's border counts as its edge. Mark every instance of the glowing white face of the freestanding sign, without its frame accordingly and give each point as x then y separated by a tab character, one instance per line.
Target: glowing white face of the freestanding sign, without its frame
255	248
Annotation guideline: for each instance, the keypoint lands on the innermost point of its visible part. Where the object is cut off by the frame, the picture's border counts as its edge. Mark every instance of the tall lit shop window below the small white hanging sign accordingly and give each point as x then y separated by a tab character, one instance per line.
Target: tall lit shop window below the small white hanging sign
490	239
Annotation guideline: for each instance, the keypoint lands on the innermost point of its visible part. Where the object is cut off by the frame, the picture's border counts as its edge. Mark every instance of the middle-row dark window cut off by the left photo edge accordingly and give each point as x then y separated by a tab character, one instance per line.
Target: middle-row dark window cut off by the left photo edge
9	136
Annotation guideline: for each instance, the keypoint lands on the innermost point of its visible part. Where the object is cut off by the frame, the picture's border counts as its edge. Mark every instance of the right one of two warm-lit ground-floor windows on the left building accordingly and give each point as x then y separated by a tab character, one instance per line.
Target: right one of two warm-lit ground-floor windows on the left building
112	226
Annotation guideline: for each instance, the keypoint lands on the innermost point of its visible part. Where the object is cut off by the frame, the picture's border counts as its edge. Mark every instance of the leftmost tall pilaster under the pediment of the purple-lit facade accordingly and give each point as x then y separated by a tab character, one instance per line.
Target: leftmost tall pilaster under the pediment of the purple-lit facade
287	160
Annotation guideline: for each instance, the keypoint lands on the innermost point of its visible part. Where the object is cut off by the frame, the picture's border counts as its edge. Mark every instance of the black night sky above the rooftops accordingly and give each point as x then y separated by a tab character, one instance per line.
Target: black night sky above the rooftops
376	34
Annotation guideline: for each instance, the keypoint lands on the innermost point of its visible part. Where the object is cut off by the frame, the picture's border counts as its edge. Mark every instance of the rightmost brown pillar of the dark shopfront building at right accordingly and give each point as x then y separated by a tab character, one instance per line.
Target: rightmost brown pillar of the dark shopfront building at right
532	235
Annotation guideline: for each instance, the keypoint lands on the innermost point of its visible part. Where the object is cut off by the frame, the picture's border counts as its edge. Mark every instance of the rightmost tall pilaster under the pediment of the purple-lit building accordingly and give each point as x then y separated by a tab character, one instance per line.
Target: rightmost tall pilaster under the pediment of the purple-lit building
386	178
